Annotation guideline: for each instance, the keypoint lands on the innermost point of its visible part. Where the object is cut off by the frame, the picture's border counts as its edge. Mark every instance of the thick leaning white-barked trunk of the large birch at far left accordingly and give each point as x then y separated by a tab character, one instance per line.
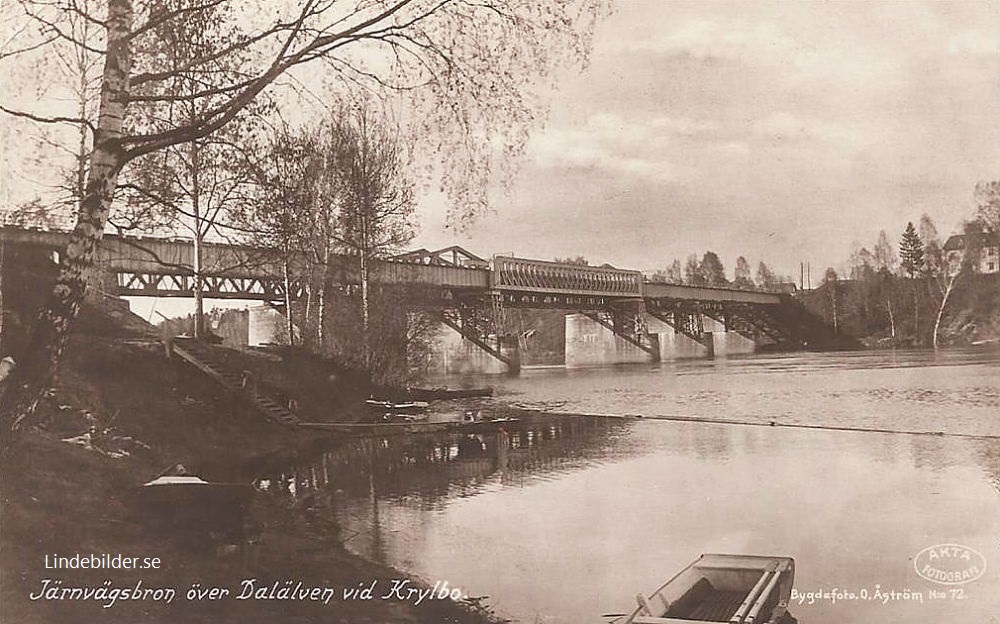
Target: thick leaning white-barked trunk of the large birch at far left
51	333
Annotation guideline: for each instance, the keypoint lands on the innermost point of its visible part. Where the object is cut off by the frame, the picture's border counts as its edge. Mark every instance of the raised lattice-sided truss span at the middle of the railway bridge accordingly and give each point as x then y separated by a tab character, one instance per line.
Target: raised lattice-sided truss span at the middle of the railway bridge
524	275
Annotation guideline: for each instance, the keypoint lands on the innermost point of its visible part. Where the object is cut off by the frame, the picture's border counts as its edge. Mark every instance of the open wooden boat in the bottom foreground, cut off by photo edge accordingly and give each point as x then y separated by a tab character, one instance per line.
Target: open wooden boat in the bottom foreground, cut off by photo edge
724	589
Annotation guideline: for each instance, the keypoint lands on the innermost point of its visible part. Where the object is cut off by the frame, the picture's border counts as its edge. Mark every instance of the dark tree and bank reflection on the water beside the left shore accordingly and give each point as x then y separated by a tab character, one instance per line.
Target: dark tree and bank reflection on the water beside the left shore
435	466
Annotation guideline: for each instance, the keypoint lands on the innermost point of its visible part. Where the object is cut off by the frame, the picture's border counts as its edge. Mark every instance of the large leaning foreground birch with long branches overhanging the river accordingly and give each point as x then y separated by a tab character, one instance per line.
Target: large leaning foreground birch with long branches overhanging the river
468	70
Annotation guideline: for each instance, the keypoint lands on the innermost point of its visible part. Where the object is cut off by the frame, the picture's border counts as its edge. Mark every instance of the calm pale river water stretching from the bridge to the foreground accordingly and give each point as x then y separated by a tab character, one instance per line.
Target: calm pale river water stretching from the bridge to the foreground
564	519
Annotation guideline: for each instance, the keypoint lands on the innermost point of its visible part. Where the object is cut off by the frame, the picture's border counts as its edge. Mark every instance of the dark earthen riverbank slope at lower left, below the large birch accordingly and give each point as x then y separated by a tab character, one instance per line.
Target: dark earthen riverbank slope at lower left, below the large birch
120	414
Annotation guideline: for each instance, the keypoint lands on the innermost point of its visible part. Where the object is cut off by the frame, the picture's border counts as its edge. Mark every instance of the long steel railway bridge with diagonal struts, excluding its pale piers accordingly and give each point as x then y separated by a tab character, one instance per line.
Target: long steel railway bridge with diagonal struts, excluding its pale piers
470	299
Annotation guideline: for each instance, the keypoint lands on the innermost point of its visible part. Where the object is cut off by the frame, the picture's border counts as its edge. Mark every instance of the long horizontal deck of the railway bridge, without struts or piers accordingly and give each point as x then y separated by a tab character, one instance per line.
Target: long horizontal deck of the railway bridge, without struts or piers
163	267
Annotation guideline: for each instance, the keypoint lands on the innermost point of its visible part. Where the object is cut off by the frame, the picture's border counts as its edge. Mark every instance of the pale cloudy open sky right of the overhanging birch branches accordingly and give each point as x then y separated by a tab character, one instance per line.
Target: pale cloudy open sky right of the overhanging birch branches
788	132
